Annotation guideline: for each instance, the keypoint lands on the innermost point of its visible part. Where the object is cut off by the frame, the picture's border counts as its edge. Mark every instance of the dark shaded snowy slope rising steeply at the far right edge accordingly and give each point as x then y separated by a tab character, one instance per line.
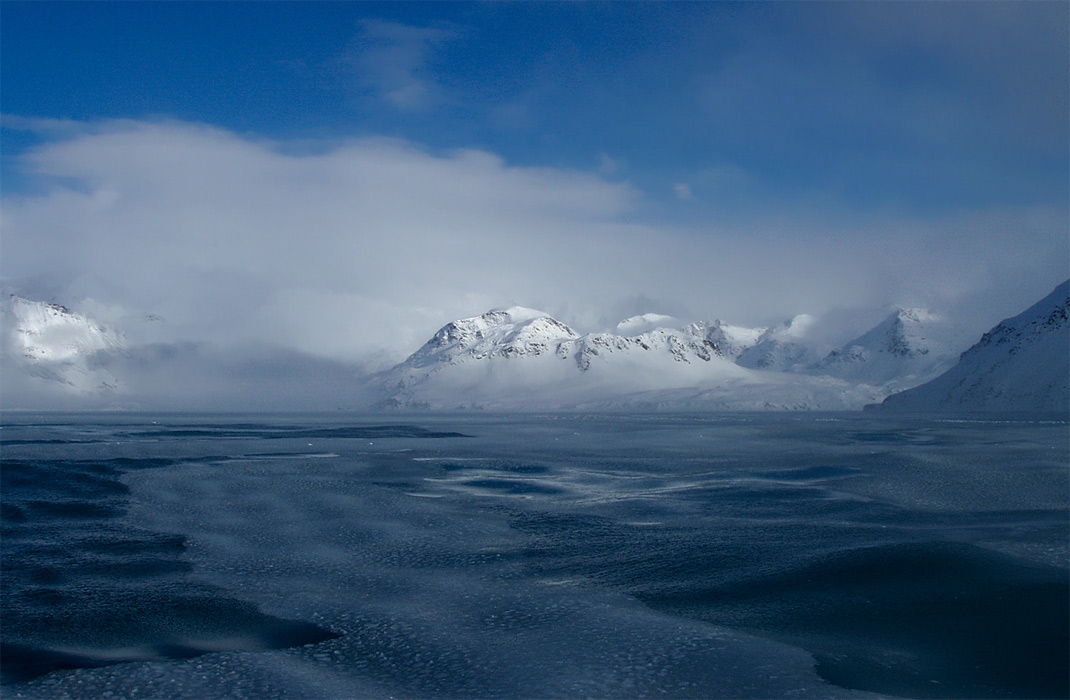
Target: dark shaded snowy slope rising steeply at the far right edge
1022	364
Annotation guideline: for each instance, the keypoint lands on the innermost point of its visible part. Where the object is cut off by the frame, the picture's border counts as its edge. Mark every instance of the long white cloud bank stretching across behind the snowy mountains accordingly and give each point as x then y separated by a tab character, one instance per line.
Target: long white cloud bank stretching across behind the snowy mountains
344	251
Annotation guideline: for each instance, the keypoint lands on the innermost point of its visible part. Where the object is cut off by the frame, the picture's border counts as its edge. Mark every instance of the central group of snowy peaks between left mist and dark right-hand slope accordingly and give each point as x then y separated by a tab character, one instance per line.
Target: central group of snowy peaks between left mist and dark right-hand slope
518	358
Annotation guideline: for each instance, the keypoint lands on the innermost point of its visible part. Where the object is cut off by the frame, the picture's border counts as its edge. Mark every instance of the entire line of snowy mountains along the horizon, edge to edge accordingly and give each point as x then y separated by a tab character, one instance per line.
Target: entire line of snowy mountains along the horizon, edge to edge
523	359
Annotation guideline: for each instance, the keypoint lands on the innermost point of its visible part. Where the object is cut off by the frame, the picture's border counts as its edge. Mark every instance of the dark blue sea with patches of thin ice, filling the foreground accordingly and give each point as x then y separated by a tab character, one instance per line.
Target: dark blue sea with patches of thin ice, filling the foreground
471	556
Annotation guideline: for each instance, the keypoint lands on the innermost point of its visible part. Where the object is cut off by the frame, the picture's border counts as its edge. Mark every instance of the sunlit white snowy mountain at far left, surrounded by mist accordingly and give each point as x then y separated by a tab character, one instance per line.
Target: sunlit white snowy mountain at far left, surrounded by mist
59	346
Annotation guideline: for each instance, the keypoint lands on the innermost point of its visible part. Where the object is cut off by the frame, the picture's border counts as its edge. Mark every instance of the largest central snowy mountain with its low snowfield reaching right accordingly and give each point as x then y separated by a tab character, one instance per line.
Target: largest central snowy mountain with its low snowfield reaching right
523	359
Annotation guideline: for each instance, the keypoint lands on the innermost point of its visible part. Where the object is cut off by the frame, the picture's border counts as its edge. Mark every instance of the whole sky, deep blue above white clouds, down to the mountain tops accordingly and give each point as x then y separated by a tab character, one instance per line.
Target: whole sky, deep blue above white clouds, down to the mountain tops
824	155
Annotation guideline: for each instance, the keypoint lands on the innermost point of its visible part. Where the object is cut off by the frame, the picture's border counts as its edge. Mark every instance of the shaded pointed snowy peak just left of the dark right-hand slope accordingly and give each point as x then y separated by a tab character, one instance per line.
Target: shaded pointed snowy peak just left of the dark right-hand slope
905	351
